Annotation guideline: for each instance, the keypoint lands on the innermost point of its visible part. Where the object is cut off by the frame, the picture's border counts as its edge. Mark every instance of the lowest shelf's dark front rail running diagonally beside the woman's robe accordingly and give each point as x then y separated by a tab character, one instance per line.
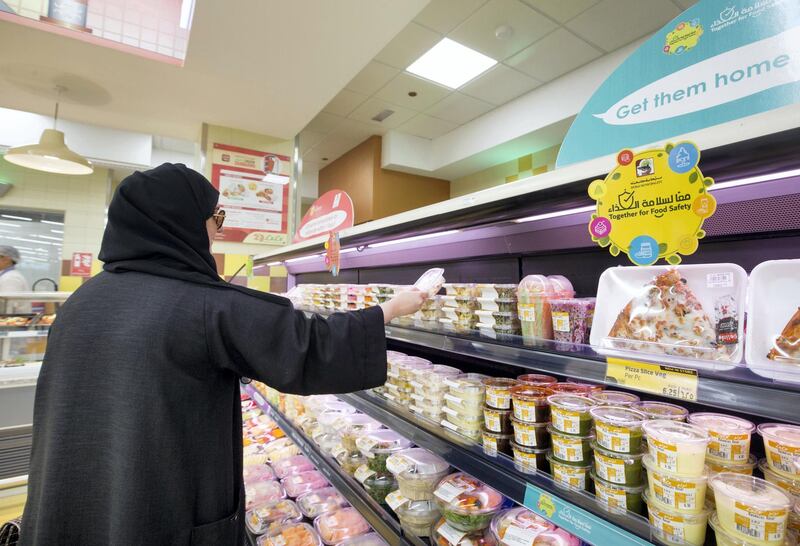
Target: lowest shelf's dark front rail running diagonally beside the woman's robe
380	520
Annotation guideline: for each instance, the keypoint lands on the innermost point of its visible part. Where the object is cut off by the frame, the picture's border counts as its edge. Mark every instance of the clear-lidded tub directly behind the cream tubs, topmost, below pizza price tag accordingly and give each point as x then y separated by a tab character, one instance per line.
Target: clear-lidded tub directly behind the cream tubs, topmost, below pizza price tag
729	436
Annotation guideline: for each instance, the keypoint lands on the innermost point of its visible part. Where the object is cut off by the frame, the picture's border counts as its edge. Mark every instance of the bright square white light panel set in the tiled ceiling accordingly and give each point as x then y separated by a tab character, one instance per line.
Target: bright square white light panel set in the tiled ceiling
451	64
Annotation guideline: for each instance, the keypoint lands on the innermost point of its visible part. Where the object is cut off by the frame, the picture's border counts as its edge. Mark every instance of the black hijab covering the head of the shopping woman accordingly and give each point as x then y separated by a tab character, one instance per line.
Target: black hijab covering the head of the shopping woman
157	225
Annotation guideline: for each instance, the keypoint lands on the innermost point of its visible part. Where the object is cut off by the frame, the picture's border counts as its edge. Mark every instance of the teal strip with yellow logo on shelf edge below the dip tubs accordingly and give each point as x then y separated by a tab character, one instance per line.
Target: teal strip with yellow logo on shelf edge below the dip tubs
577	521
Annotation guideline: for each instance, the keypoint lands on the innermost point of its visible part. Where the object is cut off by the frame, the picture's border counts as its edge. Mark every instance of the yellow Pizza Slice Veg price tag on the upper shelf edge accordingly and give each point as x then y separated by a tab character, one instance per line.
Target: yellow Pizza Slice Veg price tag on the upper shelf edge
671	381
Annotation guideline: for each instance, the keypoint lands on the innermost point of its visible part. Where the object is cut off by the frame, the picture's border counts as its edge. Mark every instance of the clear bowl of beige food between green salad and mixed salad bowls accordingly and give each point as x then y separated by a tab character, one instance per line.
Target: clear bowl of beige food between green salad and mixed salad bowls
418	471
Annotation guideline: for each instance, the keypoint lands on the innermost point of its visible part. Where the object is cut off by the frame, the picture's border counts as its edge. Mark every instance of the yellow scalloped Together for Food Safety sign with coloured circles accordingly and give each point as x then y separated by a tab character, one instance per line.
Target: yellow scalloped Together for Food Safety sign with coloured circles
653	204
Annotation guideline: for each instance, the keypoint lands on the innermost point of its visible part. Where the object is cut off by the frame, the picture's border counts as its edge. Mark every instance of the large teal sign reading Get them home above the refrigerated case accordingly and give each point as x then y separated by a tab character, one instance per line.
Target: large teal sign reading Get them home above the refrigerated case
716	62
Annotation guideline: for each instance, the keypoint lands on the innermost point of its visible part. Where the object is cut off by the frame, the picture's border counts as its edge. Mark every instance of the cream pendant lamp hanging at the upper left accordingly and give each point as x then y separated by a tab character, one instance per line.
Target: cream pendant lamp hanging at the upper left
51	154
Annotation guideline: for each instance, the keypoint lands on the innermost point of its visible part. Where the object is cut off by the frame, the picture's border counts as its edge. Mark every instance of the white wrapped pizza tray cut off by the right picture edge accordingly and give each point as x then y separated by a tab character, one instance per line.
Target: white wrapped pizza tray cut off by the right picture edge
773	323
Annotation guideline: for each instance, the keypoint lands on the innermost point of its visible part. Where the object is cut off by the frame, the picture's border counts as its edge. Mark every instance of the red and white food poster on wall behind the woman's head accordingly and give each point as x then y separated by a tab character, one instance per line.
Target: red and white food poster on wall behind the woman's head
254	191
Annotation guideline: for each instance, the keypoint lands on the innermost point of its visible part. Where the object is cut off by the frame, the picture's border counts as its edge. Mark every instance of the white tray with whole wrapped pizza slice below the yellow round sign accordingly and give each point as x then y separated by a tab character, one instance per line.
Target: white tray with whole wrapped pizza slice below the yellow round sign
693	312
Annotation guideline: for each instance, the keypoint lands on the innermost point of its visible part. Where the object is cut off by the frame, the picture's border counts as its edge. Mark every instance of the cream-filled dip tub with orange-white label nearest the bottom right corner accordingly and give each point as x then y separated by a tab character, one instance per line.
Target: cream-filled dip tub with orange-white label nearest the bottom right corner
751	508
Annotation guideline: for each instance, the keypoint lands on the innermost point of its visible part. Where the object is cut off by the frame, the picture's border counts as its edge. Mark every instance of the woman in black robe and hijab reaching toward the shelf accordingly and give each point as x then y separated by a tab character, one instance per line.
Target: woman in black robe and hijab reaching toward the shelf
137	434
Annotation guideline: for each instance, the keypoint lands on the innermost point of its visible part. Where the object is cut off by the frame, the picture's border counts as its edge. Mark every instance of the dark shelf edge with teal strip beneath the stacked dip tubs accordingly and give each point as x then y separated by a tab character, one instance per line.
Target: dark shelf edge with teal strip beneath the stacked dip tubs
576	512
